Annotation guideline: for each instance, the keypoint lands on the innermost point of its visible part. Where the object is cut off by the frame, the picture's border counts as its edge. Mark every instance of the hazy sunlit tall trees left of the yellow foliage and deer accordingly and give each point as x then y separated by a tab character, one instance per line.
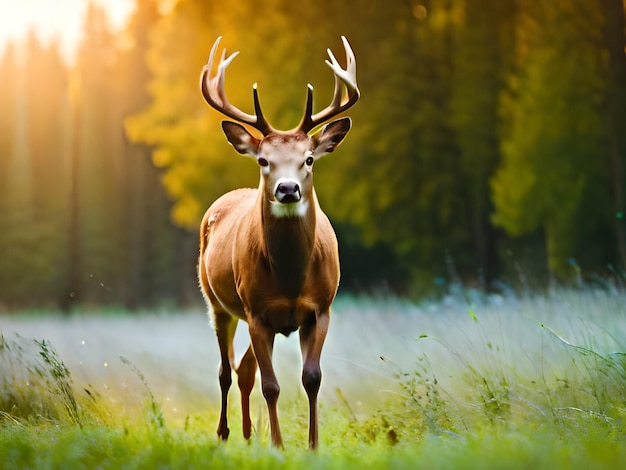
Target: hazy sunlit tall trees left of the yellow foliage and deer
84	217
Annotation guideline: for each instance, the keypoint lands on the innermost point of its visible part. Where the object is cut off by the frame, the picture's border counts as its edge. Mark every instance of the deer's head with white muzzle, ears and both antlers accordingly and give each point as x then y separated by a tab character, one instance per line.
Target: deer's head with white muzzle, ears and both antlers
286	158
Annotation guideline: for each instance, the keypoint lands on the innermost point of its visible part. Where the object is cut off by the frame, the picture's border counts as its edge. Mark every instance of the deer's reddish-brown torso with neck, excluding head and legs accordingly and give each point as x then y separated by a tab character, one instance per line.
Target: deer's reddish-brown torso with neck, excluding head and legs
294	261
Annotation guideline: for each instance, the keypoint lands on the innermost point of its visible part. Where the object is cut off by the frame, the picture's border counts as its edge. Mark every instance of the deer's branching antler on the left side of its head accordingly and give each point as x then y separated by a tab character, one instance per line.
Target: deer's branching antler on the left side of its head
215	94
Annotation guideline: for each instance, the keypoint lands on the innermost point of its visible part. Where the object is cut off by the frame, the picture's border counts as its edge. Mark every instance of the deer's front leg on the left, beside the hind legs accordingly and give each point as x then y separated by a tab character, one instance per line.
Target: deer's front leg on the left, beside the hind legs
263	345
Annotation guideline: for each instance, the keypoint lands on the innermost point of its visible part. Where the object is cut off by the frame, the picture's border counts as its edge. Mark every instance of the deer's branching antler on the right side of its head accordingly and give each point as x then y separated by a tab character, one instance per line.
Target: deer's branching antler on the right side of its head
346	77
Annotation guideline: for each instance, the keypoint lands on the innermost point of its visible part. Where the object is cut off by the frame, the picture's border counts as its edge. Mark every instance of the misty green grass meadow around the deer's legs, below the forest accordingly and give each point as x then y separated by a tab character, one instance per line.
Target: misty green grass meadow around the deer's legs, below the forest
465	382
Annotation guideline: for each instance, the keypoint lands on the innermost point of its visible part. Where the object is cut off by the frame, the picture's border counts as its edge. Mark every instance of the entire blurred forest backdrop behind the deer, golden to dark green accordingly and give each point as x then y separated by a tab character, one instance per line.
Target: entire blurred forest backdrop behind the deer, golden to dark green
488	146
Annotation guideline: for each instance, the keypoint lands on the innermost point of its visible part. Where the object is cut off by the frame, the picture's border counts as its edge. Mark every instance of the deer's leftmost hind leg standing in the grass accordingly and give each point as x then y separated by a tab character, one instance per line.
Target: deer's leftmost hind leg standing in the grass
225	327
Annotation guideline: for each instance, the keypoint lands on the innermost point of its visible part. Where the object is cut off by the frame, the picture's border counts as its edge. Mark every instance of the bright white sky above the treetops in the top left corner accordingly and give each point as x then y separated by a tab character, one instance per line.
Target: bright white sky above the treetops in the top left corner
59	21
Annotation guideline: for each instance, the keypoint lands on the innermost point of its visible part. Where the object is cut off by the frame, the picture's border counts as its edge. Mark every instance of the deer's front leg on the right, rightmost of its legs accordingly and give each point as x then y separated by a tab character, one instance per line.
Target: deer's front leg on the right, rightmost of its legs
312	336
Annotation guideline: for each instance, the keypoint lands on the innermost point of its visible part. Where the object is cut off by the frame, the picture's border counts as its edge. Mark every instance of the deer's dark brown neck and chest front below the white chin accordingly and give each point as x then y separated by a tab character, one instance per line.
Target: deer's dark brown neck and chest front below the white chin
289	244
